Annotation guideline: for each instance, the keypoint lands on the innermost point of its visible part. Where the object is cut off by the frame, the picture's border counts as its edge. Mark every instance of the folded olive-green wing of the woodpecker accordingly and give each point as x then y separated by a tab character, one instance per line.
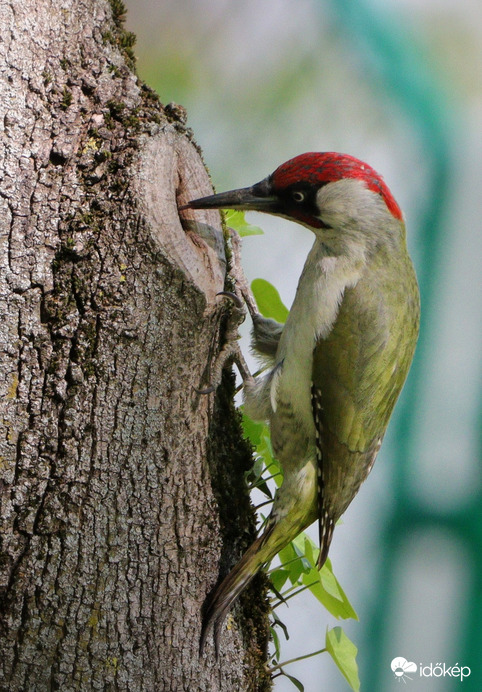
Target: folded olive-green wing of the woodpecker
358	372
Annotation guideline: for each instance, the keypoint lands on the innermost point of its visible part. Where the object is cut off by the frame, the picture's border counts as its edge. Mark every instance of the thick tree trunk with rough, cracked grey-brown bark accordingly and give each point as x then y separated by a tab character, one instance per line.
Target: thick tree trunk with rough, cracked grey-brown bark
121	486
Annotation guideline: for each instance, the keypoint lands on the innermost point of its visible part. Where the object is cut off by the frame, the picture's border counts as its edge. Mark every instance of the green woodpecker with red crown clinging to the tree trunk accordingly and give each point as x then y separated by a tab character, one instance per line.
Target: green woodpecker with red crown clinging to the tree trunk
338	364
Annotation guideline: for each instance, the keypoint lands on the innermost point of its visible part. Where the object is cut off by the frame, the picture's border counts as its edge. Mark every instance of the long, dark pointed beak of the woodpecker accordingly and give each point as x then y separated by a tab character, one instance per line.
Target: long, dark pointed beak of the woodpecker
259	197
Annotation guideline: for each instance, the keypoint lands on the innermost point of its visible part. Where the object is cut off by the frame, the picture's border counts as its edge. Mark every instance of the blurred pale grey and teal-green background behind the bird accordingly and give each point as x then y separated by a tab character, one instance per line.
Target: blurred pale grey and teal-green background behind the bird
397	83
